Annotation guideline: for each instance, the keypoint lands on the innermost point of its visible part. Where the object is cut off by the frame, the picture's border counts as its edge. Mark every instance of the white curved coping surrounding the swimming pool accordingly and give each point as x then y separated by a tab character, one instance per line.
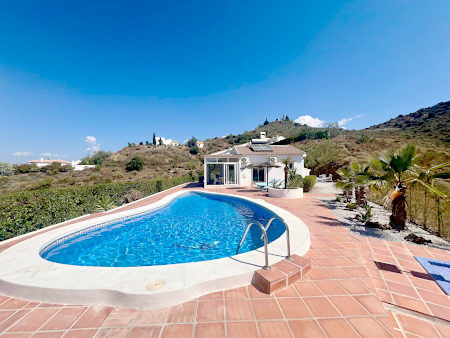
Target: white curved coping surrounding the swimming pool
25	274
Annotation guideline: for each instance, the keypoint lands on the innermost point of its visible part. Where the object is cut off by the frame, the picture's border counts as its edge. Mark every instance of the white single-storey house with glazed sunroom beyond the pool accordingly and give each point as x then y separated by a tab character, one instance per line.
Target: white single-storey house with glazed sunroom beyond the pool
247	164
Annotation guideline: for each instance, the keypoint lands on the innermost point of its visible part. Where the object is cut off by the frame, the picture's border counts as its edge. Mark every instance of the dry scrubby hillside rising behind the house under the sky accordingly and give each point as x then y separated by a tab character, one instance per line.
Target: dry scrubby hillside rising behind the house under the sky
328	149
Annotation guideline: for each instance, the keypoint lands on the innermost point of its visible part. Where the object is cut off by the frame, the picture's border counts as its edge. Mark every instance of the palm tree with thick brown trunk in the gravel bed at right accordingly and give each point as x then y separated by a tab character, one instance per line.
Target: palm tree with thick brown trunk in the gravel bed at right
392	167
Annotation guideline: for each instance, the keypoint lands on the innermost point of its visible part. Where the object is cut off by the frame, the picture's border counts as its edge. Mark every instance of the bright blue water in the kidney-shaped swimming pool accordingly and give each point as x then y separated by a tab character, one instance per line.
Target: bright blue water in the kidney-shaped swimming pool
193	227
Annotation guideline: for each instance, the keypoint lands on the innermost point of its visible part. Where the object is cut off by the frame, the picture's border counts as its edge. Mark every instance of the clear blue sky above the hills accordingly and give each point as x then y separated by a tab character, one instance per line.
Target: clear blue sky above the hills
120	70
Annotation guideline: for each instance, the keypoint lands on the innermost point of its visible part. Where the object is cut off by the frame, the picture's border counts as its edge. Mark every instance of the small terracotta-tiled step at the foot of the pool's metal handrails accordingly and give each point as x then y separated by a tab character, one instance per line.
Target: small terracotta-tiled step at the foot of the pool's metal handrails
282	274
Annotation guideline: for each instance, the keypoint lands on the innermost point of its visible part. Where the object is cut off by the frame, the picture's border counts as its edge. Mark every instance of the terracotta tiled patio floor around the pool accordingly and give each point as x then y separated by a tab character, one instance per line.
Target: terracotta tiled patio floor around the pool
353	286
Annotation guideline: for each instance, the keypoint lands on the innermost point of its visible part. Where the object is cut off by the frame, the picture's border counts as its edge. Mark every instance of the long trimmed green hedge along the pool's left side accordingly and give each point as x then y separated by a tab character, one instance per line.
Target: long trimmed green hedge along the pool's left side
31	210
